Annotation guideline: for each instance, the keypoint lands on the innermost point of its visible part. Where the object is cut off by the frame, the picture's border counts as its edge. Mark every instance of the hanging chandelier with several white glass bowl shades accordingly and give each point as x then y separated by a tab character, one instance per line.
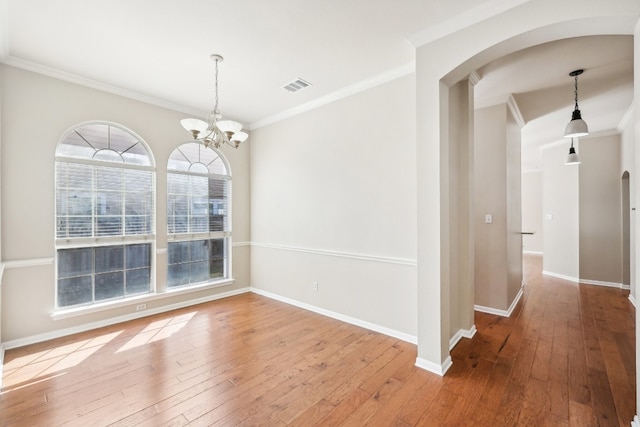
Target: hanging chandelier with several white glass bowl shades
215	132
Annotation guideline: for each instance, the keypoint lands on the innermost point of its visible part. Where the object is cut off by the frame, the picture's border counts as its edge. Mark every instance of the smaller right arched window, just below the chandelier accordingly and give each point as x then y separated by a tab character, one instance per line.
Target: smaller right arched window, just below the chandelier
198	185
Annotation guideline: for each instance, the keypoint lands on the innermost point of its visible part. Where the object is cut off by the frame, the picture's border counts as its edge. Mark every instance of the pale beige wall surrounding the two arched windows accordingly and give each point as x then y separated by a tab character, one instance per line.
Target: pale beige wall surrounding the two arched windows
27	167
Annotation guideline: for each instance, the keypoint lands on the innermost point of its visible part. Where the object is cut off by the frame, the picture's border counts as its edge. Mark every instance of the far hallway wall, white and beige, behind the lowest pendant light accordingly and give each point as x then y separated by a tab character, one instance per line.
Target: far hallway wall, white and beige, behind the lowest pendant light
582	211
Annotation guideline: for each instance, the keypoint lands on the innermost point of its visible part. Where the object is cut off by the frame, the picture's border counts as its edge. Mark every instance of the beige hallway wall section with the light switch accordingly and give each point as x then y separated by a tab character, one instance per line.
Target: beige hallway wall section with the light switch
498	254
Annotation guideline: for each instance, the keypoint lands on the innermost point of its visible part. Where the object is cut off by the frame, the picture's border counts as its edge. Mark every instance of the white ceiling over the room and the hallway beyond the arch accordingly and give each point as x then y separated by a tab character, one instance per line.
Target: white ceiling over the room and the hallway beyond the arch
158	51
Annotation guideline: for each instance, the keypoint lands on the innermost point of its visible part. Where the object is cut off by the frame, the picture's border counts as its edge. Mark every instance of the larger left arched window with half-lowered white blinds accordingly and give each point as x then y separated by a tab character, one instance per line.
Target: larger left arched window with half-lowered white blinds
104	215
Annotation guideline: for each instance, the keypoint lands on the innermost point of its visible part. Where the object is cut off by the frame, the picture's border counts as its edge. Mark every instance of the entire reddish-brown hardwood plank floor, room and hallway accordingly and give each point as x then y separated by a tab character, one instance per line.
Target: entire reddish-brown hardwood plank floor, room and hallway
565	357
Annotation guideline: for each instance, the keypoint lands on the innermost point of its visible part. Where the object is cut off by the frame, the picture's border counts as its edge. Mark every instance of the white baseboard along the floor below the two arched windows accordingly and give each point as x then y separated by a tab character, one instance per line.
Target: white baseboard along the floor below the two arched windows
111	321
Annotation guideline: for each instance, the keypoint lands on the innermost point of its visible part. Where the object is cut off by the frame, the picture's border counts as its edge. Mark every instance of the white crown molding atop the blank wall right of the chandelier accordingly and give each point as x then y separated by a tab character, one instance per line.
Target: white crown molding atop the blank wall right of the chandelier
335	96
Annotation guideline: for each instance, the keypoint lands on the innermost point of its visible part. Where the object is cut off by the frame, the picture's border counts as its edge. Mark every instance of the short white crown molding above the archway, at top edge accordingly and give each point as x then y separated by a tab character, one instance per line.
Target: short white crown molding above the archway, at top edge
470	17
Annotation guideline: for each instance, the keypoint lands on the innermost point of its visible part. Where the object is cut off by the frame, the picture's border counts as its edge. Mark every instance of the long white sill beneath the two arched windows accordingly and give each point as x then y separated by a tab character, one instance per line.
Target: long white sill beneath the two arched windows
133	301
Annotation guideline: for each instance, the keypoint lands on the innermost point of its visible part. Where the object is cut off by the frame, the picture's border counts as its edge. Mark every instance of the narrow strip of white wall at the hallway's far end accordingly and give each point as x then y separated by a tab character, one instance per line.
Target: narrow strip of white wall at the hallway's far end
532	212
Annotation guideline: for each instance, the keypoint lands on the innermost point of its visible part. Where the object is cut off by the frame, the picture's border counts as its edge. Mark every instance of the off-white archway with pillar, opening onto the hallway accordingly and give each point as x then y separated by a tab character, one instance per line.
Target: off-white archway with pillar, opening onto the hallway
459	55
